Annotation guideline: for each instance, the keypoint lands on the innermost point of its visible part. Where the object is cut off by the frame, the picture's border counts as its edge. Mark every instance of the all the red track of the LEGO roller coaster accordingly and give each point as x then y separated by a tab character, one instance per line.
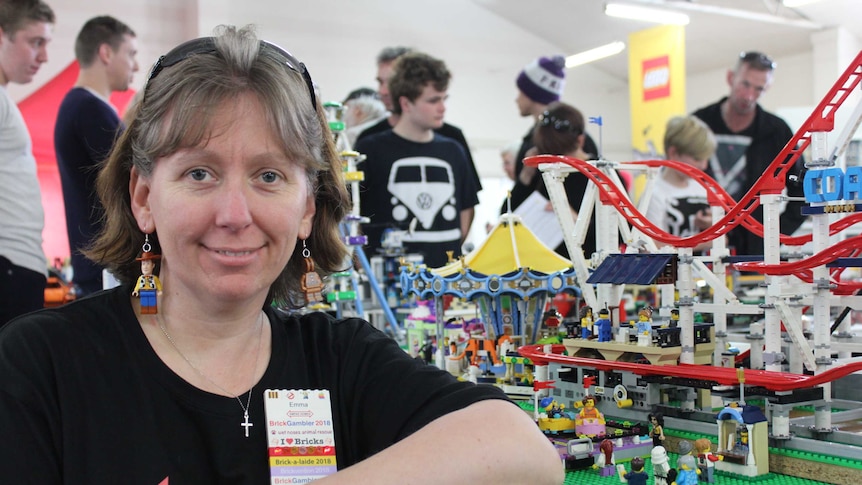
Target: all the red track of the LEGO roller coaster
772	182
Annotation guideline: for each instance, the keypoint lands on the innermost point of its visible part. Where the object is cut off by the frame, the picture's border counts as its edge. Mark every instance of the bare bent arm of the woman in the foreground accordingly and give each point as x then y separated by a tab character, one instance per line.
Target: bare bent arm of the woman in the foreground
491	441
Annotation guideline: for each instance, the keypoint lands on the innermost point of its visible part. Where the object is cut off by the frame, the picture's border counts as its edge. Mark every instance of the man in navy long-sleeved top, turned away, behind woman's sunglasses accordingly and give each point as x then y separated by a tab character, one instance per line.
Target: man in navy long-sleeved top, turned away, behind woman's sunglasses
84	133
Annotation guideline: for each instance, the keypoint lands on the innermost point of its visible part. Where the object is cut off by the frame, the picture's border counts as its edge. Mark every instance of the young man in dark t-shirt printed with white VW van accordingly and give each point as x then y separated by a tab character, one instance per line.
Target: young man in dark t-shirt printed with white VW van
413	173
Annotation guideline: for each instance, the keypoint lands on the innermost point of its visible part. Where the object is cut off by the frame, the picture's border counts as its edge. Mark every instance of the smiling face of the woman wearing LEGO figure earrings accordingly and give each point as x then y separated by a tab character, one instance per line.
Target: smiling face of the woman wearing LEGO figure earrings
227	212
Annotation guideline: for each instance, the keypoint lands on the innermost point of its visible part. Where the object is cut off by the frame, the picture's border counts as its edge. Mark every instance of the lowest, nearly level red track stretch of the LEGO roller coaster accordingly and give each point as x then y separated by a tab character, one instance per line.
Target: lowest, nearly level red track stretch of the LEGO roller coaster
725	376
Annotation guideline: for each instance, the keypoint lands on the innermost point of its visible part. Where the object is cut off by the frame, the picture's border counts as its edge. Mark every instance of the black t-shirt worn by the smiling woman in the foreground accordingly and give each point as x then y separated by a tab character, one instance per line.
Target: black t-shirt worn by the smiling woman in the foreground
84	399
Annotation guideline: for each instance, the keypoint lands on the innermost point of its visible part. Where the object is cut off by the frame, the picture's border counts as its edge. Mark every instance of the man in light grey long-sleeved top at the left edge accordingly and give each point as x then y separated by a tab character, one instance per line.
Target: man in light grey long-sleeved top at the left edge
25	29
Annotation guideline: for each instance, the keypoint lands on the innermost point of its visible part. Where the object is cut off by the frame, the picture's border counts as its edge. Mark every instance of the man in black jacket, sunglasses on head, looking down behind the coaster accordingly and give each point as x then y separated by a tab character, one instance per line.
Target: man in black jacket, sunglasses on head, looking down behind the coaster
749	138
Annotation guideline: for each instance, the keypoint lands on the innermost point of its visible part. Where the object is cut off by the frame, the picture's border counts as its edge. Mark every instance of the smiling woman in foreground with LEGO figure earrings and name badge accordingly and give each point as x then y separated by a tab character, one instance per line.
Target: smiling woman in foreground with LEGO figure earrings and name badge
229	174
